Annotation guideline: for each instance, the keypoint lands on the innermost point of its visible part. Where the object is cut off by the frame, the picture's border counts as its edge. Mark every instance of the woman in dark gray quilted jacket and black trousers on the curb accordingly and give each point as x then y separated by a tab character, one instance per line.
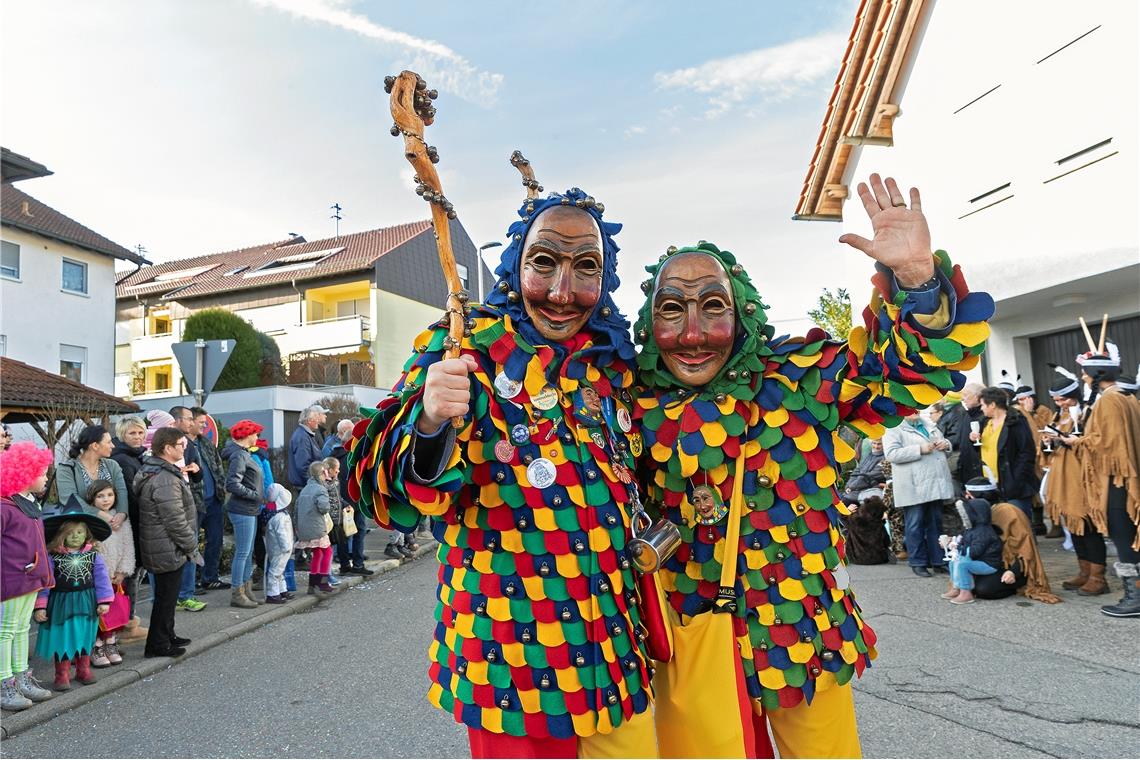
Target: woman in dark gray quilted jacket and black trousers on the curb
168	536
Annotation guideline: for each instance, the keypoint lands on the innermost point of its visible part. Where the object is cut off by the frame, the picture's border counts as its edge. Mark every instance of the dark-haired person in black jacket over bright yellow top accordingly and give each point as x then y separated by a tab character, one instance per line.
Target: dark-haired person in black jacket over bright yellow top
1015	465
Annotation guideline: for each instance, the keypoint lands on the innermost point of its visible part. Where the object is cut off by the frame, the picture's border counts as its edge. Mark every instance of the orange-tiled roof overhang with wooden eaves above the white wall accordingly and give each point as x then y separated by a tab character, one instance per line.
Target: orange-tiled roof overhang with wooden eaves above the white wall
865	101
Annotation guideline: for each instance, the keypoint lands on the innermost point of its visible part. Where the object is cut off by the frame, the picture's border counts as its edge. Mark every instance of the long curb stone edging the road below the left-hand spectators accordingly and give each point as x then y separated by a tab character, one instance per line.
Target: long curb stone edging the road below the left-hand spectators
18	723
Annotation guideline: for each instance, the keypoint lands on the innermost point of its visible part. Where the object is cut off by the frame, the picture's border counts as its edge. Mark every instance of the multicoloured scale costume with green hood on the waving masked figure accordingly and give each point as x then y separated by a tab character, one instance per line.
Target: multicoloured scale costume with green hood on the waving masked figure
781	402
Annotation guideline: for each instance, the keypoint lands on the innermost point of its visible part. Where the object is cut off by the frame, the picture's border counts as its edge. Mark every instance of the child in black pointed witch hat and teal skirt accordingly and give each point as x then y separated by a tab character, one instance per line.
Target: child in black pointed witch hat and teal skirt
69	615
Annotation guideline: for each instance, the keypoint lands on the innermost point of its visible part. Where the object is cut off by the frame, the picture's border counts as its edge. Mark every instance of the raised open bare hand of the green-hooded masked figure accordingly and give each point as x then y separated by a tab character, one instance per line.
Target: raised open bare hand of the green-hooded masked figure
902	236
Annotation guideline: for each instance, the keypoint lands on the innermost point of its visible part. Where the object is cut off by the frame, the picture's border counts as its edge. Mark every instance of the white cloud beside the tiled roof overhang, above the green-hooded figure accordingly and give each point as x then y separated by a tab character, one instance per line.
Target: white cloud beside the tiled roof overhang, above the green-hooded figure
768	75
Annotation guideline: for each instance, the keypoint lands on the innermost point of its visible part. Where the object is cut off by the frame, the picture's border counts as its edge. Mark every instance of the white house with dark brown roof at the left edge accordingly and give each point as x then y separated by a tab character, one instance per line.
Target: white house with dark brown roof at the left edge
56	283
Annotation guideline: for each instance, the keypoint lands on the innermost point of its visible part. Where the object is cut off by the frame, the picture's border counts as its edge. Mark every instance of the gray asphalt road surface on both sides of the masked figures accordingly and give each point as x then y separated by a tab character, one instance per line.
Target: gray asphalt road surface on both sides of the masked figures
1006	679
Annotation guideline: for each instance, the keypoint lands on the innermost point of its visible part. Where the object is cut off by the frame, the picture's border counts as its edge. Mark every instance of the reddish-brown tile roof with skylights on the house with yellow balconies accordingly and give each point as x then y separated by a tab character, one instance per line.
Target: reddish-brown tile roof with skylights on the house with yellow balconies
347	254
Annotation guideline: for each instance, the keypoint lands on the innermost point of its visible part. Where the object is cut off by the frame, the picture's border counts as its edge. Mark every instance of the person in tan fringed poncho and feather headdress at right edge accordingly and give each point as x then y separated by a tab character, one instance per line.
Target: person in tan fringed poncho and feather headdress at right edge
1110	454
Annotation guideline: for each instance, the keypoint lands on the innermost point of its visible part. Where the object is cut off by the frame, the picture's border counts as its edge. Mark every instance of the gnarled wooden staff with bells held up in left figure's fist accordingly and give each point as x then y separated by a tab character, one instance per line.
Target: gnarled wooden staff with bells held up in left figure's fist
413	111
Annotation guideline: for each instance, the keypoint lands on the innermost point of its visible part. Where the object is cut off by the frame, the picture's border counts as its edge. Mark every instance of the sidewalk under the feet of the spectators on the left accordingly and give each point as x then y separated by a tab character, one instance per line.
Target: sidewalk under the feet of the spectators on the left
207	630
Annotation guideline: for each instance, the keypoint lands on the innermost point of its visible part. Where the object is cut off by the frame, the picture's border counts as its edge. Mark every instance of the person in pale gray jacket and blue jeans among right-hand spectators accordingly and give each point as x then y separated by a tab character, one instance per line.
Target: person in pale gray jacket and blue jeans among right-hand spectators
921	480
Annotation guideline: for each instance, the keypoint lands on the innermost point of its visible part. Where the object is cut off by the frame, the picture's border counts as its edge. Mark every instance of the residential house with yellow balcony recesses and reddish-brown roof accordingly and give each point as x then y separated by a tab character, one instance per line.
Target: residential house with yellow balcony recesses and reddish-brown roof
344	310
